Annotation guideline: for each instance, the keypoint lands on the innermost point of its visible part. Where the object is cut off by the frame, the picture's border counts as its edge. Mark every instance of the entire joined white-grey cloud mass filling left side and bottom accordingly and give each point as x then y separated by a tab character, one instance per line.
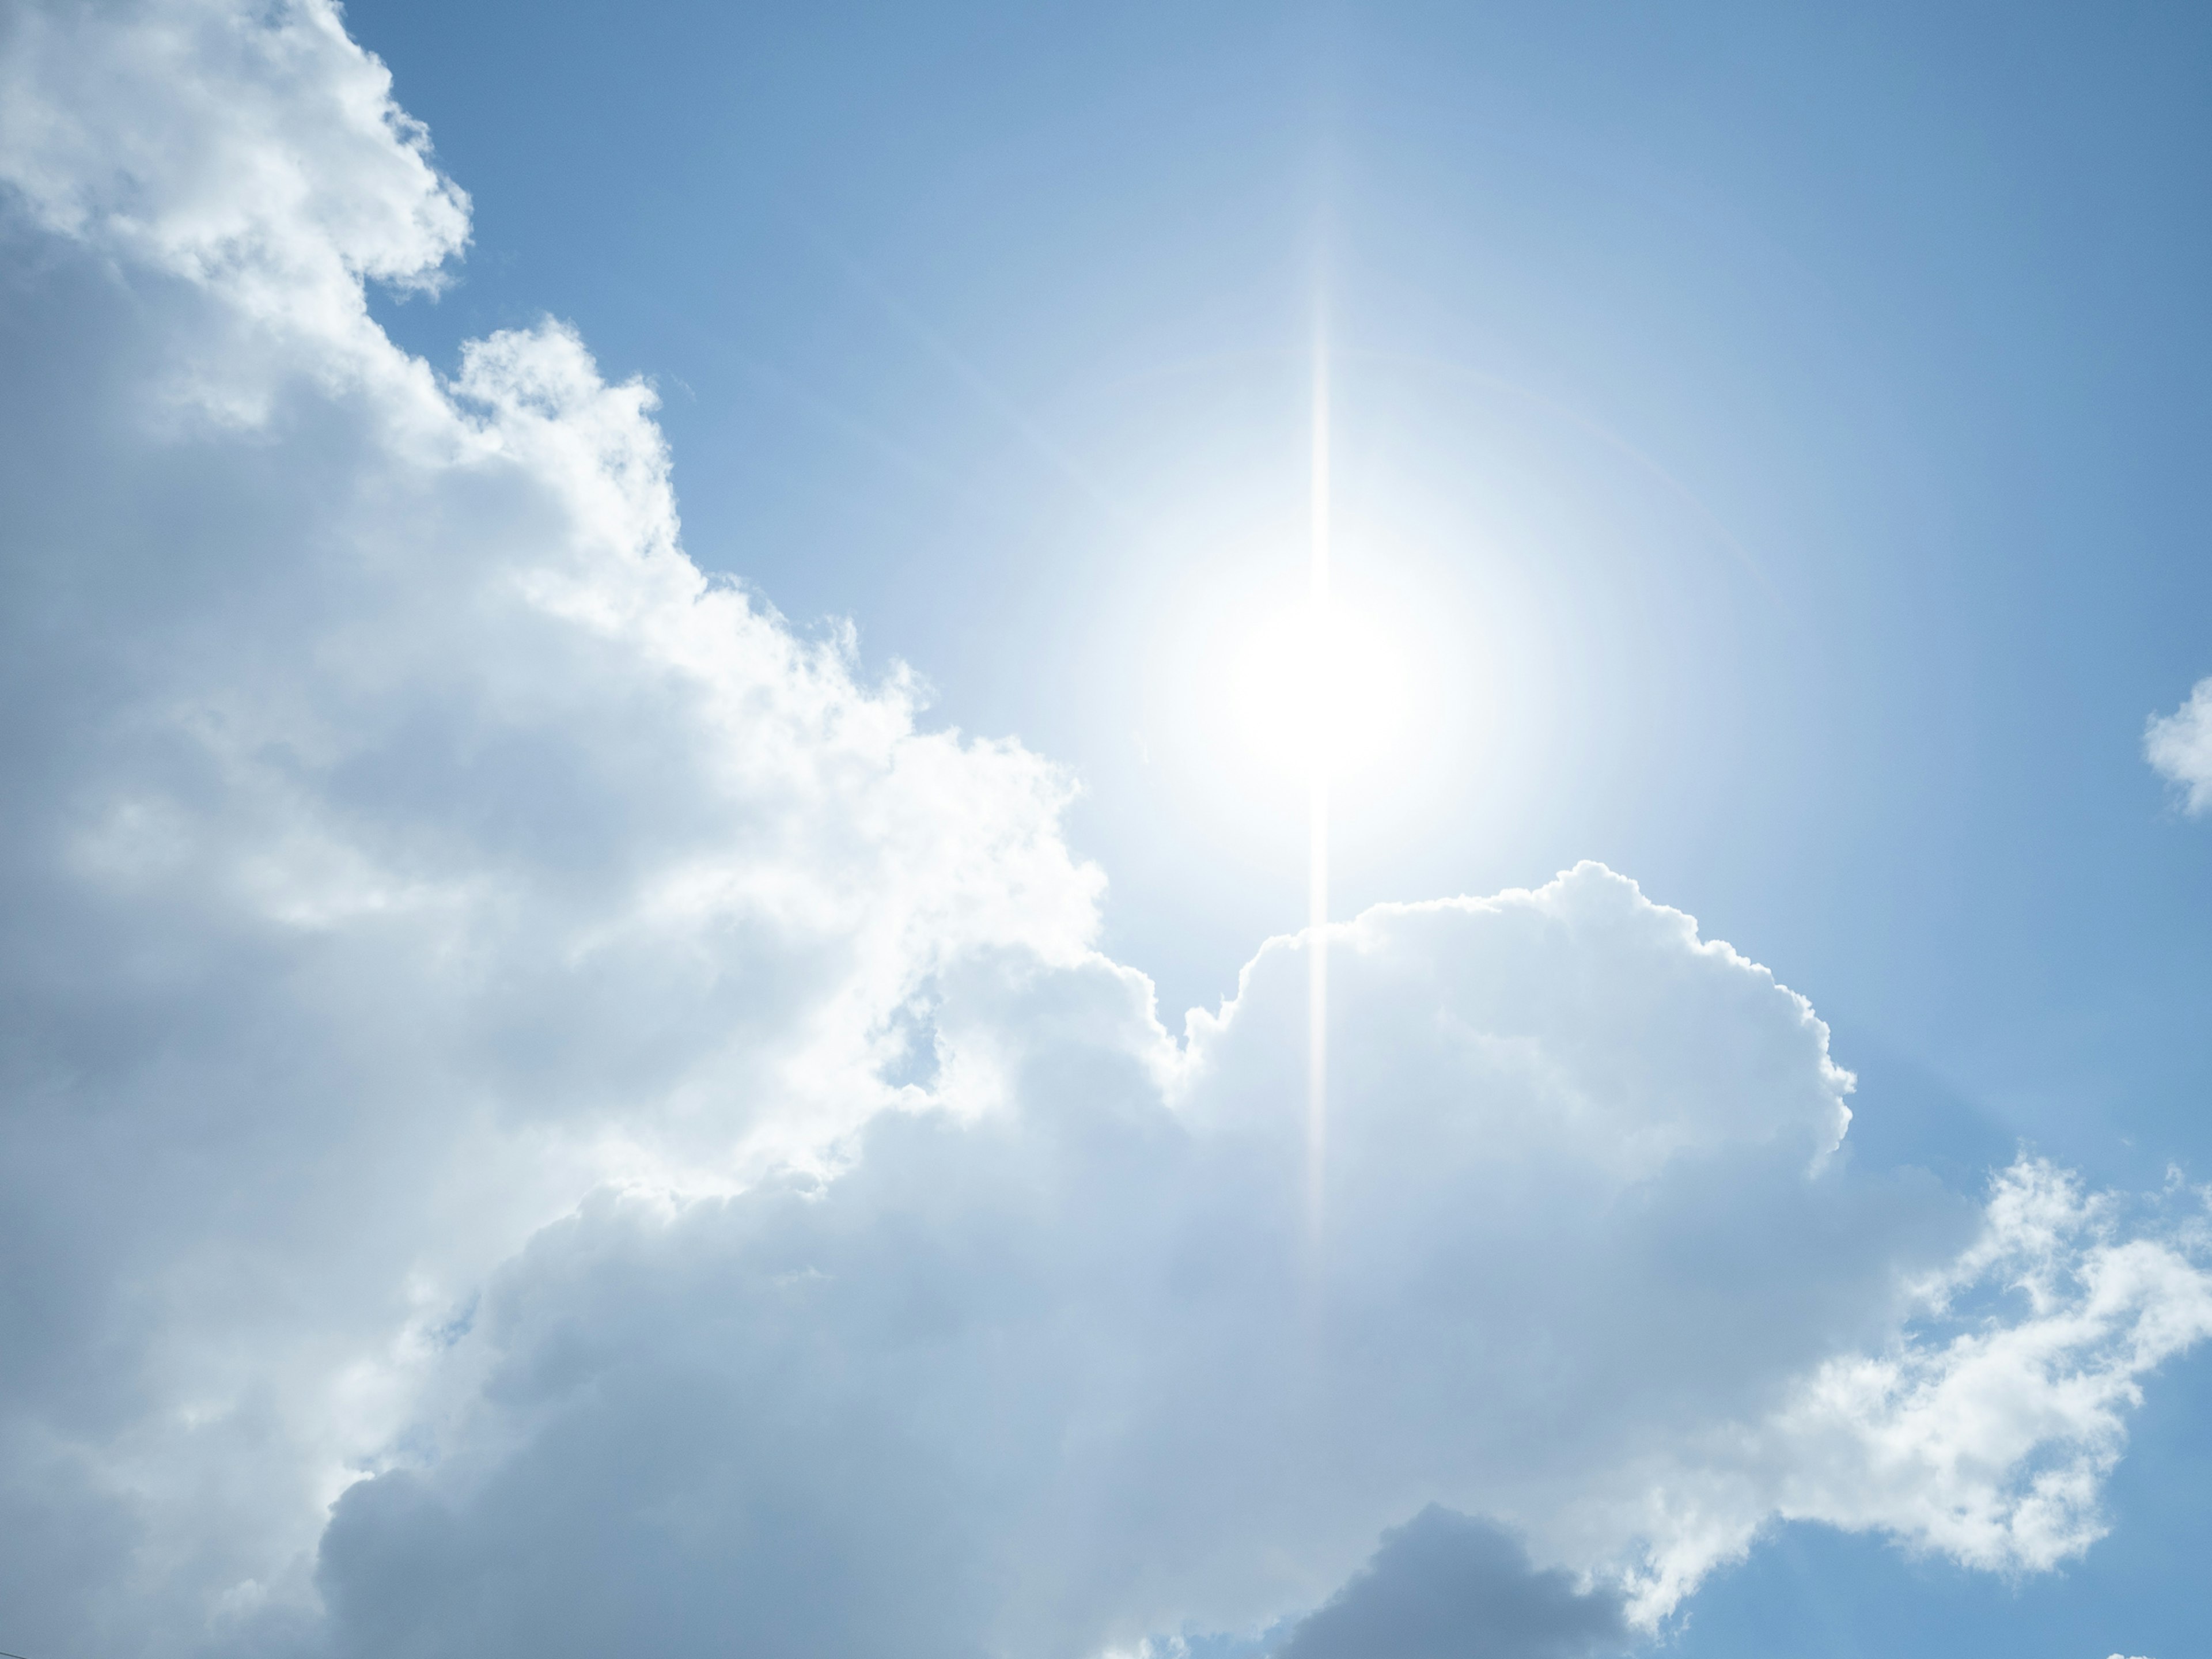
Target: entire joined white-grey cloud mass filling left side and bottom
550	1109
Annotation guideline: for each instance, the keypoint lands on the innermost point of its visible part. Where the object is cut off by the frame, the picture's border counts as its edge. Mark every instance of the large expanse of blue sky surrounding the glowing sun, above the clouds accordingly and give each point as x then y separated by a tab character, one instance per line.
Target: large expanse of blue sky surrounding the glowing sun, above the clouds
988	331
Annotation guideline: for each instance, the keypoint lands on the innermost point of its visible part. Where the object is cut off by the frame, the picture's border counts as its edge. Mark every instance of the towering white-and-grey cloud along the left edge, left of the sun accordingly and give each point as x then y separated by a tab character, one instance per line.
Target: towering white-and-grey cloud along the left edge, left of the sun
401	835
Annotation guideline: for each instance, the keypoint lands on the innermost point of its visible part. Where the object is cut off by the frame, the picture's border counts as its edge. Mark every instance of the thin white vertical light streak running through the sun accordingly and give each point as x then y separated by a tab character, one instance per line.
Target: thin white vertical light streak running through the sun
1322	640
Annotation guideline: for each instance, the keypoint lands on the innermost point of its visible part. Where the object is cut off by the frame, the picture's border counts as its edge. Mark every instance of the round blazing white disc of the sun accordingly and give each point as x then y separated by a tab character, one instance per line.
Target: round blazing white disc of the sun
1319	689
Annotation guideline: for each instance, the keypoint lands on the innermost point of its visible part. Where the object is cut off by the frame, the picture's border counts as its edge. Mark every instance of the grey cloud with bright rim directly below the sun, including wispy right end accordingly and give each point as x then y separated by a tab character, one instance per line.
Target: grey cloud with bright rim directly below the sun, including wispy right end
1076	1368
